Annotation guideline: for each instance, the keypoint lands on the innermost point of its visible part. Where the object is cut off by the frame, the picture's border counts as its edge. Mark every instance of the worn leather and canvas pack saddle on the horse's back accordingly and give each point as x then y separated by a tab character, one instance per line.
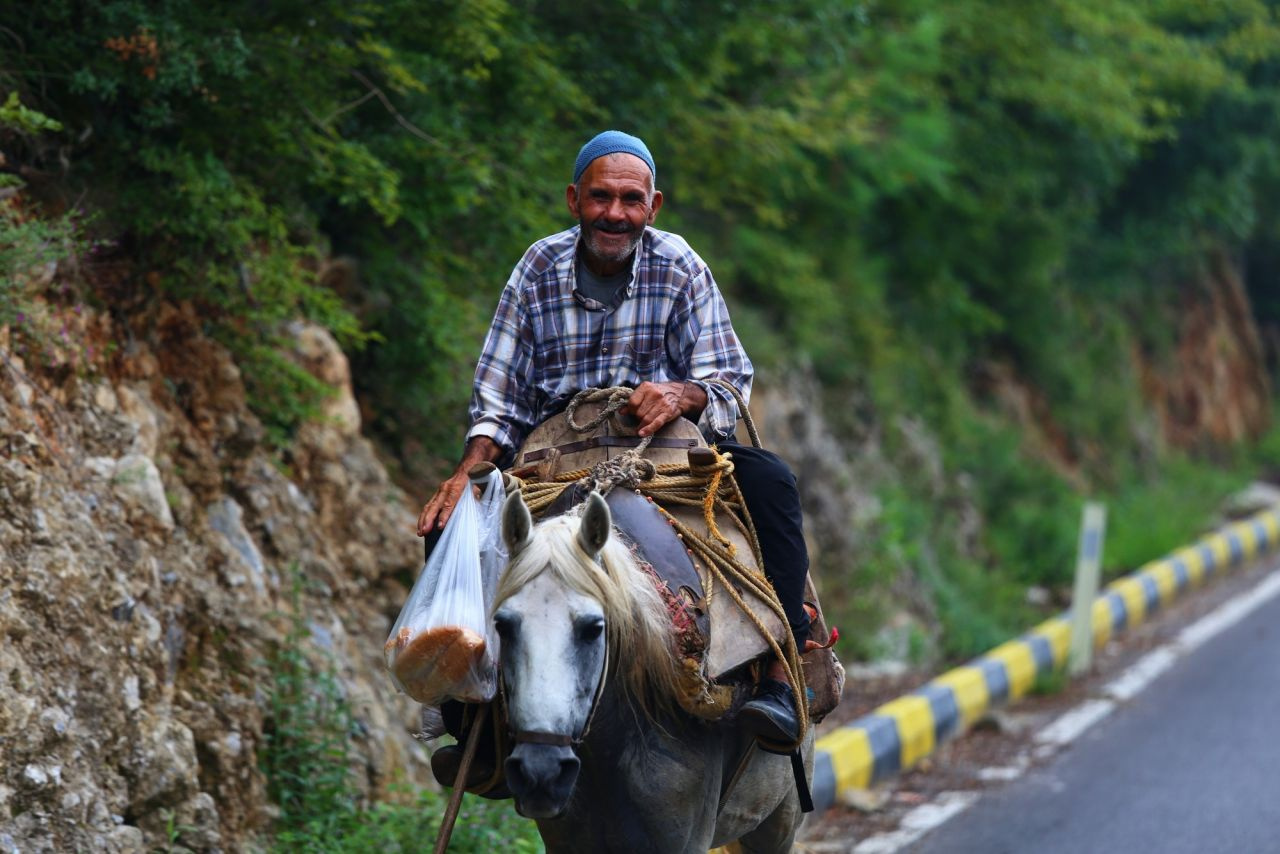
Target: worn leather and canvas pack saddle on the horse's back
728	641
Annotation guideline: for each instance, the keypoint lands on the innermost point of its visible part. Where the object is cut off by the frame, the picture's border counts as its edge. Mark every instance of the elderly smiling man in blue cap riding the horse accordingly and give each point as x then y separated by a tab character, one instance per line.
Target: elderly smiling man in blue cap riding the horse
614	302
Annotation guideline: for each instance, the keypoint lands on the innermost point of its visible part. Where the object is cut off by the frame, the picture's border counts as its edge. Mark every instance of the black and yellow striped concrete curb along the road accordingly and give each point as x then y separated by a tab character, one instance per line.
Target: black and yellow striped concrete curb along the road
899	734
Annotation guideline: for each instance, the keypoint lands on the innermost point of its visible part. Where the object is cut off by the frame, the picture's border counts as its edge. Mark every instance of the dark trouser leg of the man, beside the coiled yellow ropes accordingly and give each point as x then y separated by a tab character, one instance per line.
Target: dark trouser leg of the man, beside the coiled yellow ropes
772	499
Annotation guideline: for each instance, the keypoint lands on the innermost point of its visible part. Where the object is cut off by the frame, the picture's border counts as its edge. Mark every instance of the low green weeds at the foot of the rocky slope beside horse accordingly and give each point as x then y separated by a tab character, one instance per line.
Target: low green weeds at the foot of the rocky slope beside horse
309	762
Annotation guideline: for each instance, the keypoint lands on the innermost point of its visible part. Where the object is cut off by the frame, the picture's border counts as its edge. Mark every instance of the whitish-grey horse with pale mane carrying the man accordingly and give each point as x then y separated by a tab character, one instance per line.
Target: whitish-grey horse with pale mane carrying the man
605	760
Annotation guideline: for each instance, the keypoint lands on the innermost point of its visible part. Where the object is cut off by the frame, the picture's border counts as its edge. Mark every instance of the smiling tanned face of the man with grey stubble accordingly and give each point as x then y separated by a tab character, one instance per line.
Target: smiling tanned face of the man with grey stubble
614	202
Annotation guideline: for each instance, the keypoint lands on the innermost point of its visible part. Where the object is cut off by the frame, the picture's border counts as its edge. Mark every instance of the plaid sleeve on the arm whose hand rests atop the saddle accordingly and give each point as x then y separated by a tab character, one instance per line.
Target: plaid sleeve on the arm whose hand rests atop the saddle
715	353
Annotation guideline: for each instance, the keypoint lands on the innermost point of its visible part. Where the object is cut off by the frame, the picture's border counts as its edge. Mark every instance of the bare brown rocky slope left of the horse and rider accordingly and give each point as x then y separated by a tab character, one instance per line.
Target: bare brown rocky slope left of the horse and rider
148	550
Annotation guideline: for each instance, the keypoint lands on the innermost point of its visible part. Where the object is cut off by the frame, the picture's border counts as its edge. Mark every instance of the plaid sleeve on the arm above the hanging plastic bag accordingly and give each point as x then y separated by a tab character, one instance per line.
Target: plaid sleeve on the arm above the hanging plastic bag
502	405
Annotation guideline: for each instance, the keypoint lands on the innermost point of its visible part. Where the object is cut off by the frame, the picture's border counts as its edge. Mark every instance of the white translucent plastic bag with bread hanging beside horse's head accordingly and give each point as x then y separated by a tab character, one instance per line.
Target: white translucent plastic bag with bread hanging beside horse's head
442	646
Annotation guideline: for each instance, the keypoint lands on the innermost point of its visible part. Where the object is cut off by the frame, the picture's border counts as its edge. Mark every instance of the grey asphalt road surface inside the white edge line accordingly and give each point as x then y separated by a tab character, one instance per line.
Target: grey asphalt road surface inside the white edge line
1192	765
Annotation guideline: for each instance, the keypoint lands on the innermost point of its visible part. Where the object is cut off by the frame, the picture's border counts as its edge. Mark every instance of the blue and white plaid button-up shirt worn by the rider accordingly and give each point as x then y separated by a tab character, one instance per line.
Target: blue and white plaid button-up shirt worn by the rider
550	341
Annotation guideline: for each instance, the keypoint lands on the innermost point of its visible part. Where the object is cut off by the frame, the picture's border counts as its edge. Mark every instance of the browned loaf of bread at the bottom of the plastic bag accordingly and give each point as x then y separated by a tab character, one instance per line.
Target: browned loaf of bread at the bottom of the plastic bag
436	664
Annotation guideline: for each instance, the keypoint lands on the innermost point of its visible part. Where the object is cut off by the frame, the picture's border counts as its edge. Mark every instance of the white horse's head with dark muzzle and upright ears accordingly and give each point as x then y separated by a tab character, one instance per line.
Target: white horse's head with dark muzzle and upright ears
552	625
